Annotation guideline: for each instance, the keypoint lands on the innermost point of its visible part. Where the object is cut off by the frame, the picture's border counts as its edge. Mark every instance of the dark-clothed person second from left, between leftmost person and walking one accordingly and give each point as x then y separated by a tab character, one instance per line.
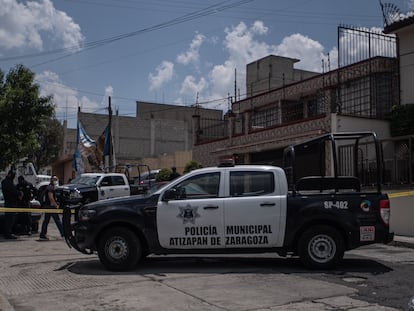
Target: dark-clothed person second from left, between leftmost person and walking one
28	191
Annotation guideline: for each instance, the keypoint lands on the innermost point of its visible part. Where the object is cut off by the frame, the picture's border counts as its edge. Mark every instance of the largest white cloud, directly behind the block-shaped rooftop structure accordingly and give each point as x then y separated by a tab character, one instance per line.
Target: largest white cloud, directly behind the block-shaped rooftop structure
244	46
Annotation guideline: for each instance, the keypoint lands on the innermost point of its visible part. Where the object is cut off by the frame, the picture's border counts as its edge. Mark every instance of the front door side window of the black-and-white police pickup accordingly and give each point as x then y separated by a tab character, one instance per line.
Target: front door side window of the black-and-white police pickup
199	187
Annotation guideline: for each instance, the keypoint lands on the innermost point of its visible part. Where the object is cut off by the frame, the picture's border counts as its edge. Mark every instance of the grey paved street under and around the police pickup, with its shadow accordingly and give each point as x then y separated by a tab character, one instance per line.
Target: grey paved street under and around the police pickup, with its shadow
48	275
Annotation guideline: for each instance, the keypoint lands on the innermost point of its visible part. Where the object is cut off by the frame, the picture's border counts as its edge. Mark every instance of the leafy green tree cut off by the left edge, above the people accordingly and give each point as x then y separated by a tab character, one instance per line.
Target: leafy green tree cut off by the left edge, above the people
23	114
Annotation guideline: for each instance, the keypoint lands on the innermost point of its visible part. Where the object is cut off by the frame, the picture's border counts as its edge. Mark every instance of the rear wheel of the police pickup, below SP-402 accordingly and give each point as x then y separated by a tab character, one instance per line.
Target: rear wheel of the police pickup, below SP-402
321	247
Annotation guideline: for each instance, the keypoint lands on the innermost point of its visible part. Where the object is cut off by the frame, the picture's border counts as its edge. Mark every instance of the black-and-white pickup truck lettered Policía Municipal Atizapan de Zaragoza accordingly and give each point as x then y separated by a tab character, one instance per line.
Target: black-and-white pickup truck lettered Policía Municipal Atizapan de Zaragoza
240	209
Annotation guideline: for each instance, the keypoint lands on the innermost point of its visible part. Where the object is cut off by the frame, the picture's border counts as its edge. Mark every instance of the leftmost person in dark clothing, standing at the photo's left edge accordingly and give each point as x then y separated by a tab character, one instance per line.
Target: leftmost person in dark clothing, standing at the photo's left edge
11	199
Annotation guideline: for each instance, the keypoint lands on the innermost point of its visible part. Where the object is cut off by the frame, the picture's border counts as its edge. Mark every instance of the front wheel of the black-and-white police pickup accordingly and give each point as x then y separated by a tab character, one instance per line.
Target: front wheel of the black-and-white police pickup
119	249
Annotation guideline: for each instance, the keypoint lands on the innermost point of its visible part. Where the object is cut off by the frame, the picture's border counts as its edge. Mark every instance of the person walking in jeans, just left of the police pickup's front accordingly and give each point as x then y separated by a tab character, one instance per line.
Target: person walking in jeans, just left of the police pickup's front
50	203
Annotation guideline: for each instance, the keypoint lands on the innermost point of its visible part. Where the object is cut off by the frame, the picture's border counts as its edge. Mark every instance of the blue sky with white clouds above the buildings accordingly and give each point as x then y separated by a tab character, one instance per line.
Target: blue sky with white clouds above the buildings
167	51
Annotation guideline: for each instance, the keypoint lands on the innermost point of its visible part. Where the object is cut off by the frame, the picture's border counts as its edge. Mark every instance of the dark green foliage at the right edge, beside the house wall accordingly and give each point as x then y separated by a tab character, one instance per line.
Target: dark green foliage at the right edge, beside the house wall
402	120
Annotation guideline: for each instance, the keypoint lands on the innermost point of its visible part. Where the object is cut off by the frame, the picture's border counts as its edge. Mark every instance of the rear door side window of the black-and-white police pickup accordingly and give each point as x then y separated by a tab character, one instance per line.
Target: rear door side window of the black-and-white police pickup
248	183
